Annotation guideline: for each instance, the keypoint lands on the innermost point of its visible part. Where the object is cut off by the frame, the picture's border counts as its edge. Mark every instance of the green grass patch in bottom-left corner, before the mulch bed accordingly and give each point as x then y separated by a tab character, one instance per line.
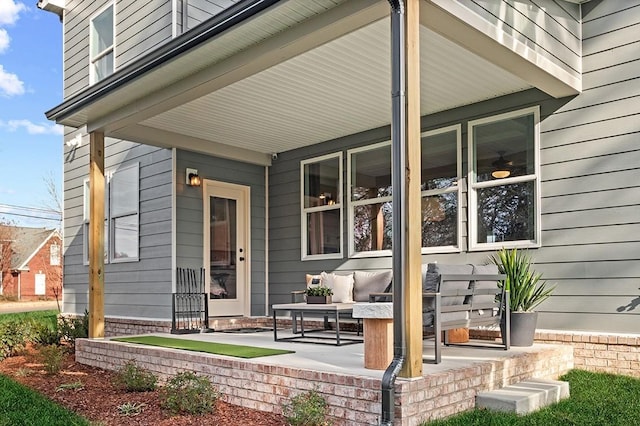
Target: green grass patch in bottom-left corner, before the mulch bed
20	405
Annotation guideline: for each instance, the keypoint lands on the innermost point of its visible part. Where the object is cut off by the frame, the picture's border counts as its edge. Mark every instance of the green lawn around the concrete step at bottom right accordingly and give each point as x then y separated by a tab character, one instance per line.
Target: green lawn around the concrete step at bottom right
596	399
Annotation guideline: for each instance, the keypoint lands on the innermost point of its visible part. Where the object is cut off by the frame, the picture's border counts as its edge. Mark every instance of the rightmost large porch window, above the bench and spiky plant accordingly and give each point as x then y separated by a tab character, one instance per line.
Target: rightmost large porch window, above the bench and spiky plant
504	207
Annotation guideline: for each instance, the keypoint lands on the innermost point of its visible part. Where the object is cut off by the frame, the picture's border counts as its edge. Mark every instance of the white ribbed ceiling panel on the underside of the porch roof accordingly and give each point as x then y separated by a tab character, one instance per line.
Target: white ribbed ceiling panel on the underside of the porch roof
337	89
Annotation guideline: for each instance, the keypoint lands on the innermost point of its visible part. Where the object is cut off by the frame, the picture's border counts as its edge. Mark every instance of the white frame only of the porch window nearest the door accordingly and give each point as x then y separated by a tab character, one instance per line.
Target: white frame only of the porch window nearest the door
305	211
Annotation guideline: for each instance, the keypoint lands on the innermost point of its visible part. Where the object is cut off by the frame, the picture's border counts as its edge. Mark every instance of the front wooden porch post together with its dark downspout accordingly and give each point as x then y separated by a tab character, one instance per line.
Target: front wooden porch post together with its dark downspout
405	147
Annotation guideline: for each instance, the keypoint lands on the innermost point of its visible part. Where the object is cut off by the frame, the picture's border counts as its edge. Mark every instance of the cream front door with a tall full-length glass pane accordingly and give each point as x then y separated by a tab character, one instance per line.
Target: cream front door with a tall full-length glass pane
226	224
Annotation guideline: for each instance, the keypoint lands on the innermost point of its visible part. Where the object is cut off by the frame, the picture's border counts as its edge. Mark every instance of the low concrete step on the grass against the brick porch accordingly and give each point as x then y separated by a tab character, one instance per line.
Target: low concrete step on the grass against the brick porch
524	397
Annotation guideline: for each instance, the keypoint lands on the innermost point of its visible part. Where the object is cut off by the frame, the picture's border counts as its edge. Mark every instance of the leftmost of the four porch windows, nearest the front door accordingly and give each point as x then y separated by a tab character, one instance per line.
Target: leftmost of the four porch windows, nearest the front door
321	191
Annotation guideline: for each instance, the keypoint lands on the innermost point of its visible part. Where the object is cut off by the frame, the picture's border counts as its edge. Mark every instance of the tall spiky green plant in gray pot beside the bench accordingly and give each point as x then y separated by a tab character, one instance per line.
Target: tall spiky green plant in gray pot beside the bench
526	292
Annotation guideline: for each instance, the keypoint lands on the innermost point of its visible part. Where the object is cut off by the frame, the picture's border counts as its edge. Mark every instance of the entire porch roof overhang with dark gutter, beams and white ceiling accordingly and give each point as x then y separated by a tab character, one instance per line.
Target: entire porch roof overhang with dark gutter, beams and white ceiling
232	88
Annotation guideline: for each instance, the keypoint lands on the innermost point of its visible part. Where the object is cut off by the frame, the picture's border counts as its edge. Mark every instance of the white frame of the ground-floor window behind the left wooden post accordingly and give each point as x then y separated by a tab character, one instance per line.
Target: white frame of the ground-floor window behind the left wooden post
109	219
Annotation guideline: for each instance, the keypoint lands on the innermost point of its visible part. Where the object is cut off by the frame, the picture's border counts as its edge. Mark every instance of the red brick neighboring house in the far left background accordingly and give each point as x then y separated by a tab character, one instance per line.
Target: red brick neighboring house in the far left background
31	263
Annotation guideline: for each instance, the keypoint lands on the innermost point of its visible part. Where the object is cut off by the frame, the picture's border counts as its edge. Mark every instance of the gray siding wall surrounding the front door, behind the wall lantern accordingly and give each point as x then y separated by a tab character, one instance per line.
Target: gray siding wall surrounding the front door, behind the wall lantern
189	219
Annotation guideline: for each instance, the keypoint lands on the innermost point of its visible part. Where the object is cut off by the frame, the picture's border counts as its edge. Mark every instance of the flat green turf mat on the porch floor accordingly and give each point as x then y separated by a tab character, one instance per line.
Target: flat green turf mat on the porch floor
200	346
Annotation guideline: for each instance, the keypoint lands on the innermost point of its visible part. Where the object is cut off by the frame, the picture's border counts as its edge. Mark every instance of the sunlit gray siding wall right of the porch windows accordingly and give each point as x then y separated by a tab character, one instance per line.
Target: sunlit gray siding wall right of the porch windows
590	181
